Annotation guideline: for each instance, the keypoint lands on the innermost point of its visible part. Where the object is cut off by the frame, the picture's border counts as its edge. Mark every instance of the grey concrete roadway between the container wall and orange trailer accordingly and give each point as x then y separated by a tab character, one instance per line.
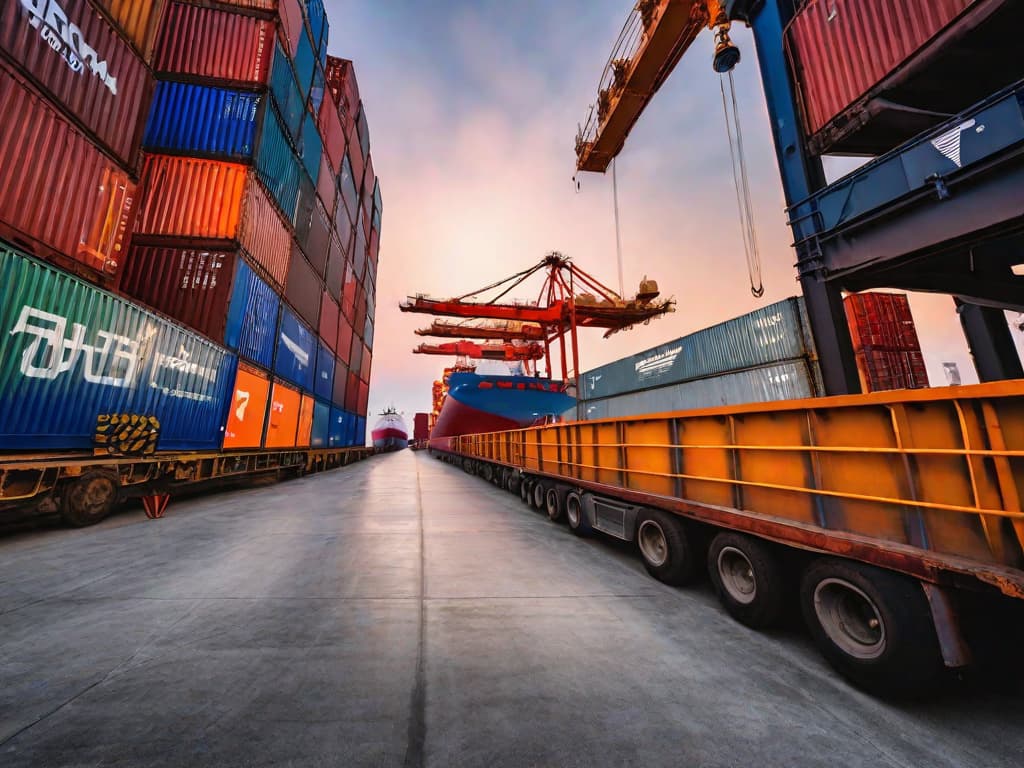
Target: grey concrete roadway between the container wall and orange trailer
400	612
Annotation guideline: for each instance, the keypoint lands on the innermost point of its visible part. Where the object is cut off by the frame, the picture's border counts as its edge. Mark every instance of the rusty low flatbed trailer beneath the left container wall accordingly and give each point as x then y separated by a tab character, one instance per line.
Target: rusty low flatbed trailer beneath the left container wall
84	488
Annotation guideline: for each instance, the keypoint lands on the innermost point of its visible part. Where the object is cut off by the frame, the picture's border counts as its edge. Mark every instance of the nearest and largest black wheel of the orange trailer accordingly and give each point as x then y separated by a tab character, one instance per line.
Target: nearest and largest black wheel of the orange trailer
874	627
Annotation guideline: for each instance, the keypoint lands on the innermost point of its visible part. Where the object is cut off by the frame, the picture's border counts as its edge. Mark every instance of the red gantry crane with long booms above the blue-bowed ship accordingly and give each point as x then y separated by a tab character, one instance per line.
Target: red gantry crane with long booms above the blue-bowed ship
570	298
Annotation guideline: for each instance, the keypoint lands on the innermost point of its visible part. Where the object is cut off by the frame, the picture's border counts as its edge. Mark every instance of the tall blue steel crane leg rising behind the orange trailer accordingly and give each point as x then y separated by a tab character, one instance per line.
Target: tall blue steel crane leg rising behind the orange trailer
802	175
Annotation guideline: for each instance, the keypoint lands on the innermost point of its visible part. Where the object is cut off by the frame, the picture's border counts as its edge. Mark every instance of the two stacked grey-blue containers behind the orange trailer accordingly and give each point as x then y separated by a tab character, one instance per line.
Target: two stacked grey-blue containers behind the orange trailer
765	356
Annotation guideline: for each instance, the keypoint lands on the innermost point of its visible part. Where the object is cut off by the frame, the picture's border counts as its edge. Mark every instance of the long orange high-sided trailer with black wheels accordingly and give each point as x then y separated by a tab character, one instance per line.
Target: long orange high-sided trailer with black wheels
897	513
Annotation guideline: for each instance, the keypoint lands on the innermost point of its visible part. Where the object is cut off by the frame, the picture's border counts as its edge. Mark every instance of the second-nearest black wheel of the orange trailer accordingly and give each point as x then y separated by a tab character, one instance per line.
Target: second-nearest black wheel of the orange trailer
749	579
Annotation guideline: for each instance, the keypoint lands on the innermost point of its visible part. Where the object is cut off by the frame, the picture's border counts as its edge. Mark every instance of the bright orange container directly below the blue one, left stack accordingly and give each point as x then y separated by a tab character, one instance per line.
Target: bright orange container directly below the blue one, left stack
207	200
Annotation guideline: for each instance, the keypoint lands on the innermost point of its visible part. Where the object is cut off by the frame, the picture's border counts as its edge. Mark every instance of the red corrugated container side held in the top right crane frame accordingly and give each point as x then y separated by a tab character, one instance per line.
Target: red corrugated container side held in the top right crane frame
842	49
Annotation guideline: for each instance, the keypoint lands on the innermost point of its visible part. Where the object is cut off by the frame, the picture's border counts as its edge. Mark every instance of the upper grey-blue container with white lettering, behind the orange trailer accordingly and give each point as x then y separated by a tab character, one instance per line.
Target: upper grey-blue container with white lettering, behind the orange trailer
769	335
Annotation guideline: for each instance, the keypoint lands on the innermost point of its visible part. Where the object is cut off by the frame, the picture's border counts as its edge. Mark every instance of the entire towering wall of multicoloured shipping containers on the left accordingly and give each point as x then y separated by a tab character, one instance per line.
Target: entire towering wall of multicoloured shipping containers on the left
245	221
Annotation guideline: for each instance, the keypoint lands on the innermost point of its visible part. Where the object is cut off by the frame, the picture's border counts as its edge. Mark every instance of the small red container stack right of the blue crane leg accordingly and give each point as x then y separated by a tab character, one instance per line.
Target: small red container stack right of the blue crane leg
885	340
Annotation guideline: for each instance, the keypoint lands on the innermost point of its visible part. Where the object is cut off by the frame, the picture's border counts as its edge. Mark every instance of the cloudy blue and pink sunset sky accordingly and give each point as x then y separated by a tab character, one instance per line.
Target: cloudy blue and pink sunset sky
474	108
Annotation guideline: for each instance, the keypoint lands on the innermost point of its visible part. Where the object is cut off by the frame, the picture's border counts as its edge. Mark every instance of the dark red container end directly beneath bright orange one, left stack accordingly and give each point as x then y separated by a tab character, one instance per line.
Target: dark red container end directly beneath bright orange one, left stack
192	286
